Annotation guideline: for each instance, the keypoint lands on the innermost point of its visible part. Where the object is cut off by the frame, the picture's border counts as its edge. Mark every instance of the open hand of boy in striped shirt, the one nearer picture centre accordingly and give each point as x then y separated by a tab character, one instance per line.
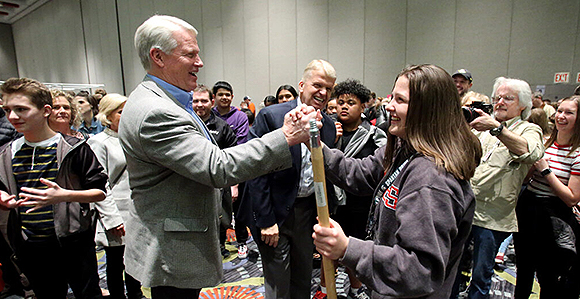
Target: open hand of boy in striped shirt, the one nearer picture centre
43	197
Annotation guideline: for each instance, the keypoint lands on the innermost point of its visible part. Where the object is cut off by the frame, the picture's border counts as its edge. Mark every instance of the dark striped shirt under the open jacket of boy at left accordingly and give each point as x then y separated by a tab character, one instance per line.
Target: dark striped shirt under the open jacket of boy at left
30	162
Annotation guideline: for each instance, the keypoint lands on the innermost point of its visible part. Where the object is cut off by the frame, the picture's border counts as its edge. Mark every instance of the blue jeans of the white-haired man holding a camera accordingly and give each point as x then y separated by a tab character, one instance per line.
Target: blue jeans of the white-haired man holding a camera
486	243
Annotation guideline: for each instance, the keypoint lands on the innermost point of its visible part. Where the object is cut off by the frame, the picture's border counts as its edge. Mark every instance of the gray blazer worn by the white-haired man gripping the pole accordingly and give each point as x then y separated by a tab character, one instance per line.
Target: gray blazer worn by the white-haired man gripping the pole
172	233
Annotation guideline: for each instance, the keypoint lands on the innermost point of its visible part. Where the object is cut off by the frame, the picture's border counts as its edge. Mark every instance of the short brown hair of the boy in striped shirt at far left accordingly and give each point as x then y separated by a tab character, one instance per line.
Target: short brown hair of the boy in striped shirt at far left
38	93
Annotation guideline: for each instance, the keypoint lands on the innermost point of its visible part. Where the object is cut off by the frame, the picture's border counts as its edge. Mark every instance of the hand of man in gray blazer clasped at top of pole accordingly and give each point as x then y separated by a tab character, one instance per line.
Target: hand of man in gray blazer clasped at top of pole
296	124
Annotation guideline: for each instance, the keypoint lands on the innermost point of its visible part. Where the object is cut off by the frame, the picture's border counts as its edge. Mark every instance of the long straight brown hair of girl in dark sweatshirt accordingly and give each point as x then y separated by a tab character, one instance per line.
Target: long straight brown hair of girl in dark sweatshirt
435	126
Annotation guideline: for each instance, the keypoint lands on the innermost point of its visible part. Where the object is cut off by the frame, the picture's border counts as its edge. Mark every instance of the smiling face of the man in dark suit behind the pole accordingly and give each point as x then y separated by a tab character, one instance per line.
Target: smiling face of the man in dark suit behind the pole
315	89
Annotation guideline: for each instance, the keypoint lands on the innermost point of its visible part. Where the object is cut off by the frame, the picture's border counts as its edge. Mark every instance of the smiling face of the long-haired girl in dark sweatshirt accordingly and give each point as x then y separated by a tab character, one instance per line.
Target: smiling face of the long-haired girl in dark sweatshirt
398	107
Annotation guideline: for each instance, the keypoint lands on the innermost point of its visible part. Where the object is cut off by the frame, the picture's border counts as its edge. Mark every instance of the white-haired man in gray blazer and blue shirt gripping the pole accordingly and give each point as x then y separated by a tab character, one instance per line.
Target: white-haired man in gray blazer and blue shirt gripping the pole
175	167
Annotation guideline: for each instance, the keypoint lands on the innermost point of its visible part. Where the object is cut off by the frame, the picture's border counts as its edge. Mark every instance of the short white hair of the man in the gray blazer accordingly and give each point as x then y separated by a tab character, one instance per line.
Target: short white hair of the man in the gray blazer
157	32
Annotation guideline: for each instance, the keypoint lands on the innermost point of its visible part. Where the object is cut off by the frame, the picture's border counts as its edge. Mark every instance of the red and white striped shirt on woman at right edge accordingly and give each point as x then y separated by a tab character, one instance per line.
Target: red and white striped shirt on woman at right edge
561	165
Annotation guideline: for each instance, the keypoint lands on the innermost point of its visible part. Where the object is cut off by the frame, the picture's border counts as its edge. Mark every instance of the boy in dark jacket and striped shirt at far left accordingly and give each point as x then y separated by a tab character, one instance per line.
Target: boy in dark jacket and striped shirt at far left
48	182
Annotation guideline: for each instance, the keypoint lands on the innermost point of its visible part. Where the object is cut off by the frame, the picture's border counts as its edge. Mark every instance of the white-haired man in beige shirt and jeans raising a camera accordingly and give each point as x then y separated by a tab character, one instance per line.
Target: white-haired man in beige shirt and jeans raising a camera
510	146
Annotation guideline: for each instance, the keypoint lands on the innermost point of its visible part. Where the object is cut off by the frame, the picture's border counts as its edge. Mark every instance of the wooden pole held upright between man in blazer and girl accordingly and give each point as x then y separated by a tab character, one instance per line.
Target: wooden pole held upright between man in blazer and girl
321	202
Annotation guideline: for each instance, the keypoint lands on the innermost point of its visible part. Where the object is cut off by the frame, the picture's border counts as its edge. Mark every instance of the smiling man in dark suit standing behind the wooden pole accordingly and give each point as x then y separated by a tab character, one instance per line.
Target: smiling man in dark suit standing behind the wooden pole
283	202
